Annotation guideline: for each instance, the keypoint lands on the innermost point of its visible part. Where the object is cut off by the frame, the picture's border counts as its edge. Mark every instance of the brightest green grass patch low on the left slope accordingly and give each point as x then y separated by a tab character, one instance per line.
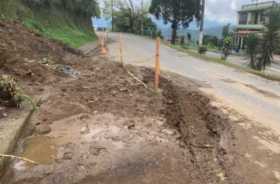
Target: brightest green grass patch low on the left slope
68	34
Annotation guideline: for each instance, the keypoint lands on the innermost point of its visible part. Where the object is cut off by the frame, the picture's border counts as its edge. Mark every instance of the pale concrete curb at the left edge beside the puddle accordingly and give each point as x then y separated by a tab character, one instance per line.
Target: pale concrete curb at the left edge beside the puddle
10	131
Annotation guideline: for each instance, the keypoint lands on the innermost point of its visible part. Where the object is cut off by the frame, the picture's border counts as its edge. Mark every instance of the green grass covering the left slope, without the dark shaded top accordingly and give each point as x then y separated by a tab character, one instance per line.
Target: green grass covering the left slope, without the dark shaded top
51	23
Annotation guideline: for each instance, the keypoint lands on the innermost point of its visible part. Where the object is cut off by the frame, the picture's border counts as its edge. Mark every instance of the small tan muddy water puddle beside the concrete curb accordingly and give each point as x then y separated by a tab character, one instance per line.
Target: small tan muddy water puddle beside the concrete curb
40	149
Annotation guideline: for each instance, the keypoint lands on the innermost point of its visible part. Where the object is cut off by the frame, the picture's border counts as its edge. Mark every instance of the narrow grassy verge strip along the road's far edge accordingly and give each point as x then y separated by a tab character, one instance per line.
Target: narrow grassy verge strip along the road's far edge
195	54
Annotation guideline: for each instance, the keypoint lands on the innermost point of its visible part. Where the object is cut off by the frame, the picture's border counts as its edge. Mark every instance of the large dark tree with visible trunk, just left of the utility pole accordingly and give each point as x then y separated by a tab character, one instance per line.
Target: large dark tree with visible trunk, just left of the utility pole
177	12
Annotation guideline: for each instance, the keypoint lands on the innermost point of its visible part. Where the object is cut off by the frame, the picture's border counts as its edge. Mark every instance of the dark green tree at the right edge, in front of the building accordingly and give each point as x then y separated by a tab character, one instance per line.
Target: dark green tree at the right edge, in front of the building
271	39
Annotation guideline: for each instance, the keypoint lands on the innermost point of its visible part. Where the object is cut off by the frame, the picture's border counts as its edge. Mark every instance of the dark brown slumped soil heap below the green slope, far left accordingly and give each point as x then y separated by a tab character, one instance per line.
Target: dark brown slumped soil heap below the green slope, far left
26	55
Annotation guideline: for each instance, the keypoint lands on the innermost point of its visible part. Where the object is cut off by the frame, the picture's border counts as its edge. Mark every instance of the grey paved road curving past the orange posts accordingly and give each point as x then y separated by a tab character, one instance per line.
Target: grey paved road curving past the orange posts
250	95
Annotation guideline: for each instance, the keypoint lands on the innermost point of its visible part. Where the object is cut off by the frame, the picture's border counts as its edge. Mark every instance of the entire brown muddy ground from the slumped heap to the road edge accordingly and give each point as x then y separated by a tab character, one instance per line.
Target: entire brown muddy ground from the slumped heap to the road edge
97	124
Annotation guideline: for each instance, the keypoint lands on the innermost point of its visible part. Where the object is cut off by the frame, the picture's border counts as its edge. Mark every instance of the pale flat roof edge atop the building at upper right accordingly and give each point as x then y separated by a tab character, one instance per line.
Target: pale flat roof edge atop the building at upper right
258	6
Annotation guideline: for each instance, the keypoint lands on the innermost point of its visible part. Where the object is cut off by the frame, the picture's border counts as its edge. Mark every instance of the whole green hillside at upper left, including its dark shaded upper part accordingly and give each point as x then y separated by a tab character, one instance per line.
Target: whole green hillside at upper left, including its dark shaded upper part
66	21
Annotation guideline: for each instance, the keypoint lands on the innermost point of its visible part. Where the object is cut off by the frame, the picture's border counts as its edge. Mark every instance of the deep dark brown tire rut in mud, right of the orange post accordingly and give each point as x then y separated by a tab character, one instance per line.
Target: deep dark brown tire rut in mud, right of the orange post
205	131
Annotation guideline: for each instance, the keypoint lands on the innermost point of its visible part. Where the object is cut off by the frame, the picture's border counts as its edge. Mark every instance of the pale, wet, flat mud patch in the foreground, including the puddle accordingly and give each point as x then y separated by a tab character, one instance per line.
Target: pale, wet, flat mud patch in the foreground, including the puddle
103	149
